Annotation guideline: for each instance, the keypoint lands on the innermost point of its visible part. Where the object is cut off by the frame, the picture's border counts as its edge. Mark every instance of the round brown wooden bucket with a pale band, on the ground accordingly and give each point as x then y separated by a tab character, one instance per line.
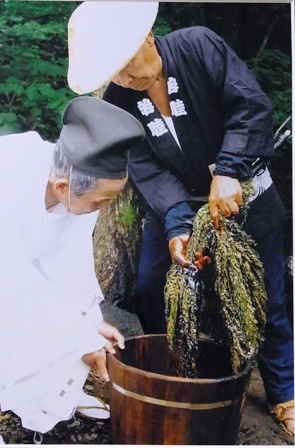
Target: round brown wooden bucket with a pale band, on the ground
149	405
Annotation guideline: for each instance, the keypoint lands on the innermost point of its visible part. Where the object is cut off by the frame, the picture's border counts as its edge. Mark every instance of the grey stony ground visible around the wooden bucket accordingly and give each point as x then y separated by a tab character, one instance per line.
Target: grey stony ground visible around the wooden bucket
257	426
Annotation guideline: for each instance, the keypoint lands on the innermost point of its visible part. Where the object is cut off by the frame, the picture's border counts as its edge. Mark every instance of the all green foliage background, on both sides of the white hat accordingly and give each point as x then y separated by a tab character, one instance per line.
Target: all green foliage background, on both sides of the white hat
33	54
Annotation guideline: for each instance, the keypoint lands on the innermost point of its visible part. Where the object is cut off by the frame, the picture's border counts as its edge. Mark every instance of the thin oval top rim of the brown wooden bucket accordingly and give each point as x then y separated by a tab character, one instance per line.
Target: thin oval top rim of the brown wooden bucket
177	379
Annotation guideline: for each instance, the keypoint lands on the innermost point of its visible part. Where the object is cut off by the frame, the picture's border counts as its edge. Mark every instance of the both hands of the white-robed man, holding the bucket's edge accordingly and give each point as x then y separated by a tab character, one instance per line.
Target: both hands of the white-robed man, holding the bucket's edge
97	360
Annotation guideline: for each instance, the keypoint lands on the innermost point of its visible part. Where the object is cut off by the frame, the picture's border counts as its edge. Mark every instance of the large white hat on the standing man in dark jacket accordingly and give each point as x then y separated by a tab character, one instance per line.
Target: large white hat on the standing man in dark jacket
103	37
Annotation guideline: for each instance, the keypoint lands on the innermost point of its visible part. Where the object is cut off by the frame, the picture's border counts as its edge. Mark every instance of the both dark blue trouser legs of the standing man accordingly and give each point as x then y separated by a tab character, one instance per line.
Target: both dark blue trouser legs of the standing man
275	358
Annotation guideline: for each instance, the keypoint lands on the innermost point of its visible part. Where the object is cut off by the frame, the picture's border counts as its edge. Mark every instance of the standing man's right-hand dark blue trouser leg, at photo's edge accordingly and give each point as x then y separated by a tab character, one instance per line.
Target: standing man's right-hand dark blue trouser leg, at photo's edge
275	358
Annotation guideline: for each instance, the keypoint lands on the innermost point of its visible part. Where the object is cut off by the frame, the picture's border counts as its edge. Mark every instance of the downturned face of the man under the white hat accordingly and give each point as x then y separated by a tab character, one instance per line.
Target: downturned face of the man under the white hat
142	71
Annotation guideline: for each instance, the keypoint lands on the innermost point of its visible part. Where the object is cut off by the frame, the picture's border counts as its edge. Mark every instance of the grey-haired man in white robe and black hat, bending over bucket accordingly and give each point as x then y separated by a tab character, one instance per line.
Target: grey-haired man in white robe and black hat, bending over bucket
51	328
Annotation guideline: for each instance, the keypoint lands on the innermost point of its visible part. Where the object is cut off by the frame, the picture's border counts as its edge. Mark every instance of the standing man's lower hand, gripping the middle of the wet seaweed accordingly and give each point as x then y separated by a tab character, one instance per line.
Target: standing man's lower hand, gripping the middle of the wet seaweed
178	247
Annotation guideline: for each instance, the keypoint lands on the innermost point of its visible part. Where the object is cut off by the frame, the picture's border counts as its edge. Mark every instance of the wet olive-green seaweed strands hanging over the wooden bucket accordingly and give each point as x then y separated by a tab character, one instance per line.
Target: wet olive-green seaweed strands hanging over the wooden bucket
232	310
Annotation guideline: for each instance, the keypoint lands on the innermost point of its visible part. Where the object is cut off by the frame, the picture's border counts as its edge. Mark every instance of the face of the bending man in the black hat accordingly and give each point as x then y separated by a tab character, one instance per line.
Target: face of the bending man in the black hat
98	197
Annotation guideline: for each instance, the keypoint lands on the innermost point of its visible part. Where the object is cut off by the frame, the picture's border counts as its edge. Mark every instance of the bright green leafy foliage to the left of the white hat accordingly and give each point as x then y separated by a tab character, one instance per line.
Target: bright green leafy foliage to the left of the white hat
33	60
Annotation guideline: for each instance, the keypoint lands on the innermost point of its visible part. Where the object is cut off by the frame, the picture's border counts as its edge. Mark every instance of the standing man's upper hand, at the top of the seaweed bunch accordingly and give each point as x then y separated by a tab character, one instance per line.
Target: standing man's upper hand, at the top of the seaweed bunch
225	197
